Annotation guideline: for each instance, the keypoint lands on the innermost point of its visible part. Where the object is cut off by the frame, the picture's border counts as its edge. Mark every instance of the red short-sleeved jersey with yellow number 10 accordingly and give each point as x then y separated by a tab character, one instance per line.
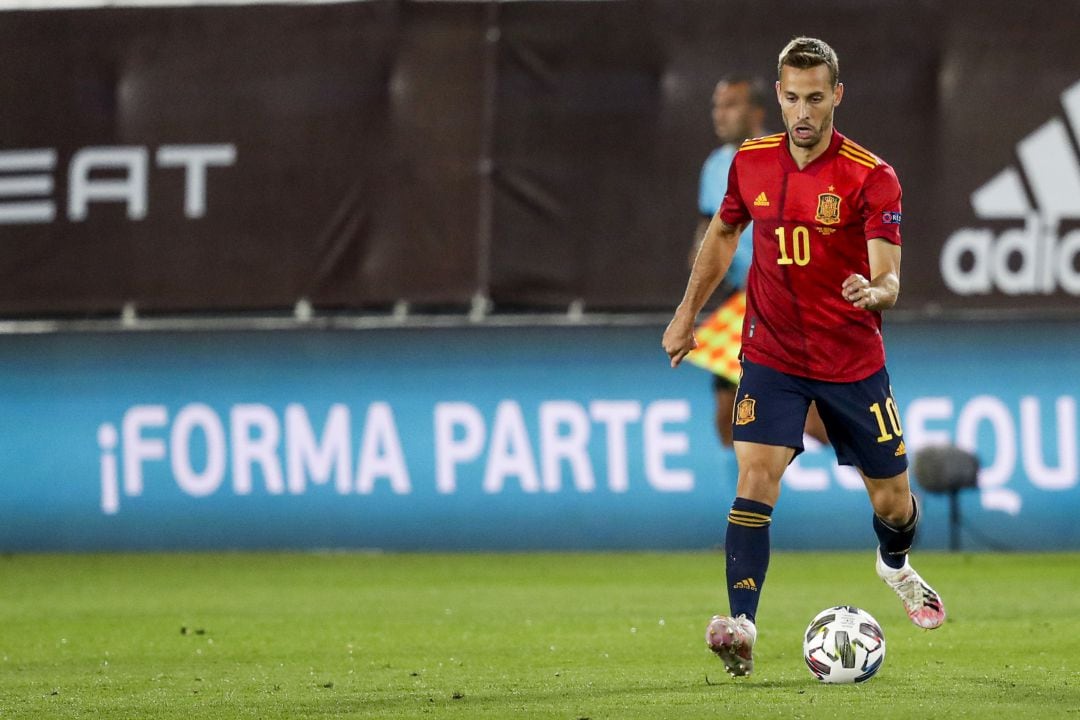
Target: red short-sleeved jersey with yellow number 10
811	233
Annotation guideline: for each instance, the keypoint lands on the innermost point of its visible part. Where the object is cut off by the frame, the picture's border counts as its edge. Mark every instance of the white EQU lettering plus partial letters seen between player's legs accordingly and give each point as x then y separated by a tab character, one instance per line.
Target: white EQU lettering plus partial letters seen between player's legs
931	422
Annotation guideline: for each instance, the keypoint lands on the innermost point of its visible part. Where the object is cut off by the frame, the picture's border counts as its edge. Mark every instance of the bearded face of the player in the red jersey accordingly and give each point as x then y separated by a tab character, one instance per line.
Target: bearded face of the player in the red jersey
807	101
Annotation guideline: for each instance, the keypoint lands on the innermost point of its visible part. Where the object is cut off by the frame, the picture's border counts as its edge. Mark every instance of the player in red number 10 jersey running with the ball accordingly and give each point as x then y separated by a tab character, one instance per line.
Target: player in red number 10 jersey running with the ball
827	263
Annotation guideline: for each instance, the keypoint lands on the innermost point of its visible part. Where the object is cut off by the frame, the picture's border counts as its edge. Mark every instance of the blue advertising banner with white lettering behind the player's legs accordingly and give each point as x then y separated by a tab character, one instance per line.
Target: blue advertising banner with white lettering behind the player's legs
488	439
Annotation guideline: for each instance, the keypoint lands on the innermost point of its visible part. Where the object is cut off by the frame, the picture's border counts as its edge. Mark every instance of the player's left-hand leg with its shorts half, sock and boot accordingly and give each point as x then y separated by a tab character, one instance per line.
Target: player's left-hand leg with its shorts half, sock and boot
769	417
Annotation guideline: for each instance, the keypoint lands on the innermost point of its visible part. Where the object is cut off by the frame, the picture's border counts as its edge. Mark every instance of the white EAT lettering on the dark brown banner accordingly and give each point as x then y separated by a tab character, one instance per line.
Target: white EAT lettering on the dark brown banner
110	174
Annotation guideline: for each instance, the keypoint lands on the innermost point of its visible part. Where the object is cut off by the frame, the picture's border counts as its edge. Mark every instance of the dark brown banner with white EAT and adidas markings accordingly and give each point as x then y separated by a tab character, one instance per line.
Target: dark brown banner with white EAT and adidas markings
533	153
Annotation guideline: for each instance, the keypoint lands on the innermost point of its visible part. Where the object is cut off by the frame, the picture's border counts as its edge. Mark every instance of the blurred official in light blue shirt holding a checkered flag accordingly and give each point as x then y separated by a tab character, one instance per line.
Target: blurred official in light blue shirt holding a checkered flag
739	108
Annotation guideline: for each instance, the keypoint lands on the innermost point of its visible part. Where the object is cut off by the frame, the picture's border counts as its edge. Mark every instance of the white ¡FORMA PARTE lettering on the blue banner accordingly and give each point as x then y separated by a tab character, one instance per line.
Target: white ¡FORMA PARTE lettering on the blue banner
289	454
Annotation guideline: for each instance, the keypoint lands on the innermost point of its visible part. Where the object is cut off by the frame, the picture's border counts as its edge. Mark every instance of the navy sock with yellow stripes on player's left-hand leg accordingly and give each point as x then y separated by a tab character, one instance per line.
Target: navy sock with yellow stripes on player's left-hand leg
748	555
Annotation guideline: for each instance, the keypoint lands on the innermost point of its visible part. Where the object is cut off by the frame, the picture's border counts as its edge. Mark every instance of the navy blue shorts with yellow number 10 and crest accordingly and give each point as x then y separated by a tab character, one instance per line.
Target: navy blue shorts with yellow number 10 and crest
861	418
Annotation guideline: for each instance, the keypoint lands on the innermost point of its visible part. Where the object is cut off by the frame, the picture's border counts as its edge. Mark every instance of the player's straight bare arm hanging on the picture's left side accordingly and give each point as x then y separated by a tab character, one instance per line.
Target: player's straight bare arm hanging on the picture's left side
714	259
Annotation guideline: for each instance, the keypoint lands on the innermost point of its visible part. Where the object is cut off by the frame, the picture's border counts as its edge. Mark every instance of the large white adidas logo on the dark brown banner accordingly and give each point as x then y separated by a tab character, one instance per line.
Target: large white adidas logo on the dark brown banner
1030	259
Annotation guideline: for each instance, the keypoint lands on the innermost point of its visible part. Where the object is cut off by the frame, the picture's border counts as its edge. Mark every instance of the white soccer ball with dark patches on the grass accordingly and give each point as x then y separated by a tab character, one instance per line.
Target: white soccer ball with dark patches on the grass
844	645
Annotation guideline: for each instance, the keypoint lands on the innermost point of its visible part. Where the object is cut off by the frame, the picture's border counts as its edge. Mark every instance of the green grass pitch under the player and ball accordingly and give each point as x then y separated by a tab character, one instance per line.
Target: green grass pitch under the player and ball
563	636
